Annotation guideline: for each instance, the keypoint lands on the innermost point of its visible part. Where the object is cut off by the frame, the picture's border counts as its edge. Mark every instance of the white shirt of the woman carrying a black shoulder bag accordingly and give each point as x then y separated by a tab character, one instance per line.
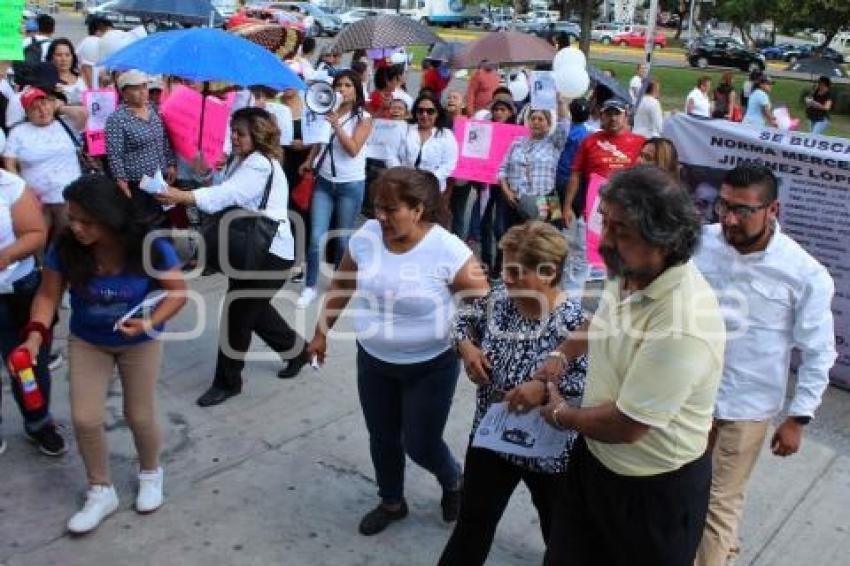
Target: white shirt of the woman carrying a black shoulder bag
243	186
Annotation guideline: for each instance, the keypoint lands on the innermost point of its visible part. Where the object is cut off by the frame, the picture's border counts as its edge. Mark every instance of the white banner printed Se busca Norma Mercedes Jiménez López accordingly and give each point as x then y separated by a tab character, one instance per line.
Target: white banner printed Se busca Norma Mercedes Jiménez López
814	192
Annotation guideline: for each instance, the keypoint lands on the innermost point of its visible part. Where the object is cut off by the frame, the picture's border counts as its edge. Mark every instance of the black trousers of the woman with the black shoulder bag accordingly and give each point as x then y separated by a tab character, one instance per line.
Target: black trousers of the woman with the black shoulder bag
244	315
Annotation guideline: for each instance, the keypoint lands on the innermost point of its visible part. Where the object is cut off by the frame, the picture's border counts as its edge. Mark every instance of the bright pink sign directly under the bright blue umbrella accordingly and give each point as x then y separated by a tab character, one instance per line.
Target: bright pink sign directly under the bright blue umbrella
181	113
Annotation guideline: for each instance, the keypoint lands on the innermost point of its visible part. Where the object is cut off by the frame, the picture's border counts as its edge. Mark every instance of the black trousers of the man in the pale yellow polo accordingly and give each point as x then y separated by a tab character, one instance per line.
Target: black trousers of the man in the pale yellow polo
602	518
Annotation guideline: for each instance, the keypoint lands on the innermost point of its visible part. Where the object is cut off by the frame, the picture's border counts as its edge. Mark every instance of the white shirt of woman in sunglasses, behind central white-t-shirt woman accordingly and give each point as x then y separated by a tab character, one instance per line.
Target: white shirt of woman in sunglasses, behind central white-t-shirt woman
438	154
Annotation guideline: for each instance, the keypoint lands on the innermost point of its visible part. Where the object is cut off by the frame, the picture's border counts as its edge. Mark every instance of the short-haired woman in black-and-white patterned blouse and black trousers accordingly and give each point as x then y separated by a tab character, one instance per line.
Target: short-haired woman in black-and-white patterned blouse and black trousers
503	338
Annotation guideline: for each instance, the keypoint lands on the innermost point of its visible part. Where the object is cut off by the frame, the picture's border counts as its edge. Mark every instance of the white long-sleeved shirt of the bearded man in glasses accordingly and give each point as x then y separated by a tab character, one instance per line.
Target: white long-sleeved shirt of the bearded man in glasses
772	301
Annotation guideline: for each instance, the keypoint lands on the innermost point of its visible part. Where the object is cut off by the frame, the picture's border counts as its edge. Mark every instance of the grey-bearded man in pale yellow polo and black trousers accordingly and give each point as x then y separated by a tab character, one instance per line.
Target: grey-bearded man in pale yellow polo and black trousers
638	482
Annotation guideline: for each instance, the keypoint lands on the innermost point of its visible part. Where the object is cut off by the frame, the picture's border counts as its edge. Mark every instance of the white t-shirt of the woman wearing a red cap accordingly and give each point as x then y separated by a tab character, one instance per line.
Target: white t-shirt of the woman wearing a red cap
47	158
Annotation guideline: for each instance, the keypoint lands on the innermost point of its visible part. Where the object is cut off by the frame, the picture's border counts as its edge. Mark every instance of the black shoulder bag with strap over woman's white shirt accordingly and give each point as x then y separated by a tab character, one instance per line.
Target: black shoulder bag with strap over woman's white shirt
238	239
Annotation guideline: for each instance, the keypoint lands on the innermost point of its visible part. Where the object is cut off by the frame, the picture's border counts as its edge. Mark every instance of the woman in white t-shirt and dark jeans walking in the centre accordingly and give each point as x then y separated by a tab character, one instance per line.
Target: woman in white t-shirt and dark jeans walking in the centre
403	271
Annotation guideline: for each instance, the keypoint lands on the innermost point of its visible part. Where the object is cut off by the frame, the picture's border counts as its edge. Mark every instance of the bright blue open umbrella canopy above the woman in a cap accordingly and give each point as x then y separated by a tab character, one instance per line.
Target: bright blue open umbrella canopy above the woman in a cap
203	55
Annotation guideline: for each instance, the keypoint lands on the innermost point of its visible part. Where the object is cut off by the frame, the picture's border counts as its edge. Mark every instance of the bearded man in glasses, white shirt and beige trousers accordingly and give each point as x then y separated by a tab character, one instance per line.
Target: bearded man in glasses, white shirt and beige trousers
775	297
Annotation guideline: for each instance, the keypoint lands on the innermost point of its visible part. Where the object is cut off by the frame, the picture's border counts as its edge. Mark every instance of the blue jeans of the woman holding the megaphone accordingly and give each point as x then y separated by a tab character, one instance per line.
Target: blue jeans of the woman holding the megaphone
340	201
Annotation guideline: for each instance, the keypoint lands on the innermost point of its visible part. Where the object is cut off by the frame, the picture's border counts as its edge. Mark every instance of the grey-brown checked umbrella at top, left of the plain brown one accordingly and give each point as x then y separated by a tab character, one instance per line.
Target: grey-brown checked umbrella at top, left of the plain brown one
377	32
